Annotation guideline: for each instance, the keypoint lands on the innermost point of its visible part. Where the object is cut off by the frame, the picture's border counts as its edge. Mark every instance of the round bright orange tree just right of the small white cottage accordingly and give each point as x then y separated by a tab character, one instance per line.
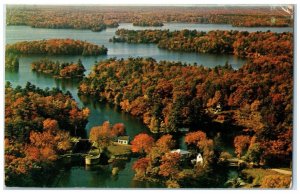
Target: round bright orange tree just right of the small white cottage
142	143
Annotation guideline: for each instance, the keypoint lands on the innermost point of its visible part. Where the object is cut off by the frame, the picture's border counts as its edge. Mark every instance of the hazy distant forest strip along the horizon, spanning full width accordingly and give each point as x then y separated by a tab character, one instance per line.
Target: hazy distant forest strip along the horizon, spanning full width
98	18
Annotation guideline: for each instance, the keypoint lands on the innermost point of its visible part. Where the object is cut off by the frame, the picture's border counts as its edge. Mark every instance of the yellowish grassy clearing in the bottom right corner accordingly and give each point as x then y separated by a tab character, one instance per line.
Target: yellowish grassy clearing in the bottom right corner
255	176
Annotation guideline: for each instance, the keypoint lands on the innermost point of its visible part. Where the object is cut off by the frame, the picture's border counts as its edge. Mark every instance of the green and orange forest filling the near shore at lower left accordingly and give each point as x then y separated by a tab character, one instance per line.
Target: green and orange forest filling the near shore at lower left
38	126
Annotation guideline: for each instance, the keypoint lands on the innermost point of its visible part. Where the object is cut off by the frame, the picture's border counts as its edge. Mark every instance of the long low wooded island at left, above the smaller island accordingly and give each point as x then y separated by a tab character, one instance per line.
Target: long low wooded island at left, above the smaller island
56	47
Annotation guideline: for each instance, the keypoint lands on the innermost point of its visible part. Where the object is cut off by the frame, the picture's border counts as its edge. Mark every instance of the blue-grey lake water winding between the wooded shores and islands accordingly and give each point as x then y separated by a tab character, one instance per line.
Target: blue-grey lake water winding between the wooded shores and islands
99	176
